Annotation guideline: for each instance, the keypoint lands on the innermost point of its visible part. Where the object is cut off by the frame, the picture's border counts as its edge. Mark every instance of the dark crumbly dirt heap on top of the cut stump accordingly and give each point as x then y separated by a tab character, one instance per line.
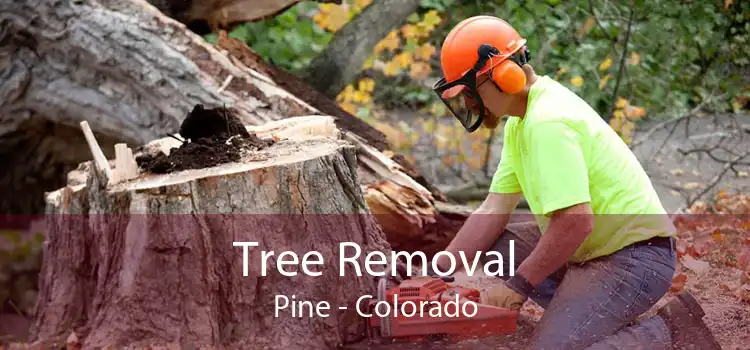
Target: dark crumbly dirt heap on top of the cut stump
212	137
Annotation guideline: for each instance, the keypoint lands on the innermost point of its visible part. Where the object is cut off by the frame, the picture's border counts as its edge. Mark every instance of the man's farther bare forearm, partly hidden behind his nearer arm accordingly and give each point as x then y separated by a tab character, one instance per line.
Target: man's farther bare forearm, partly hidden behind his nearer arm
482	228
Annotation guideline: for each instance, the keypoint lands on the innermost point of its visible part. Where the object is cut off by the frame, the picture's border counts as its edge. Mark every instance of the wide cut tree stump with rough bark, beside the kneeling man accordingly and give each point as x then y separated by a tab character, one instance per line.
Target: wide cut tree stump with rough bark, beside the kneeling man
151	260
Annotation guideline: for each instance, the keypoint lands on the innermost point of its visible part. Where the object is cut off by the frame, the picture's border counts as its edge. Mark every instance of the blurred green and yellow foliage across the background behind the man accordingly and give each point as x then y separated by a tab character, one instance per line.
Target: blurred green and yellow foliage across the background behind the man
660	63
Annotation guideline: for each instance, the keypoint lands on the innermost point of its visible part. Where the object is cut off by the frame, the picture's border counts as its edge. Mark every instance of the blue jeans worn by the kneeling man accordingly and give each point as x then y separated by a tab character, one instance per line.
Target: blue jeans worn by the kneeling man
593	305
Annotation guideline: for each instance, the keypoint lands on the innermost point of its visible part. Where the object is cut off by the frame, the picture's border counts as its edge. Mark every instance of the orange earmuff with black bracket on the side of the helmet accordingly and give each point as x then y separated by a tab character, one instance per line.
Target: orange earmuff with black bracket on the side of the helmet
508	76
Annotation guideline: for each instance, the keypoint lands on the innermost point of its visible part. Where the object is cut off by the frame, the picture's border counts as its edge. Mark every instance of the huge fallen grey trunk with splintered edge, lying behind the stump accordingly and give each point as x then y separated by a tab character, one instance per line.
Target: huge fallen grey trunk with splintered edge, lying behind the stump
133	74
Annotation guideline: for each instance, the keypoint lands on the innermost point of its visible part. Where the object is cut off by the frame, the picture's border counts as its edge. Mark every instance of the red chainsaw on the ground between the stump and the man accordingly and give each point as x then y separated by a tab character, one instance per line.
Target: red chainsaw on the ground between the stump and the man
429	307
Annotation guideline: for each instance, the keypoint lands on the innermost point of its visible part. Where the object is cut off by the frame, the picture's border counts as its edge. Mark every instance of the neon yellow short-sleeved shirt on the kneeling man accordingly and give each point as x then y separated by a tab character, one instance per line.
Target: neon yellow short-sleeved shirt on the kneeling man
562	153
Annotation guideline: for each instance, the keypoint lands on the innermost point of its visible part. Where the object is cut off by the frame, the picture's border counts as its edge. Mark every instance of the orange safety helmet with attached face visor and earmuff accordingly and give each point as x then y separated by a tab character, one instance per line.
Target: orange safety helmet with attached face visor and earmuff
475	46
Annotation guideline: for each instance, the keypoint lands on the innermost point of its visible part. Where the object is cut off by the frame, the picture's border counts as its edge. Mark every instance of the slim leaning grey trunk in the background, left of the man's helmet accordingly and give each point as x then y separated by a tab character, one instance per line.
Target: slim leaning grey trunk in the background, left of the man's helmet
345	54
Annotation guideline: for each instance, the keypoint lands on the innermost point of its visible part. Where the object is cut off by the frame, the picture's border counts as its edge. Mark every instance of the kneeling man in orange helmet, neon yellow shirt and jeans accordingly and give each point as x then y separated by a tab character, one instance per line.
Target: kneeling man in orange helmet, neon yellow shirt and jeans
602	251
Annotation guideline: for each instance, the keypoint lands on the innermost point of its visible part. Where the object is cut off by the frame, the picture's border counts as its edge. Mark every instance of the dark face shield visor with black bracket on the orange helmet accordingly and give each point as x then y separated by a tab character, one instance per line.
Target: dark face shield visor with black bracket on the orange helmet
461	96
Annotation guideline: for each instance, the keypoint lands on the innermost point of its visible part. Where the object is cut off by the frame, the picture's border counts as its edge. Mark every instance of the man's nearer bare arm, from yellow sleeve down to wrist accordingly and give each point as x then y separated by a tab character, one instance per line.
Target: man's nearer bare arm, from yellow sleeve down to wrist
566	231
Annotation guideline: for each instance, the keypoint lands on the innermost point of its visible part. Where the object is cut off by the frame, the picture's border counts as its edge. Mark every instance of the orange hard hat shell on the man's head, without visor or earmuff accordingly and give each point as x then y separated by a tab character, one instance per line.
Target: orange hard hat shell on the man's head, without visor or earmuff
459	51
